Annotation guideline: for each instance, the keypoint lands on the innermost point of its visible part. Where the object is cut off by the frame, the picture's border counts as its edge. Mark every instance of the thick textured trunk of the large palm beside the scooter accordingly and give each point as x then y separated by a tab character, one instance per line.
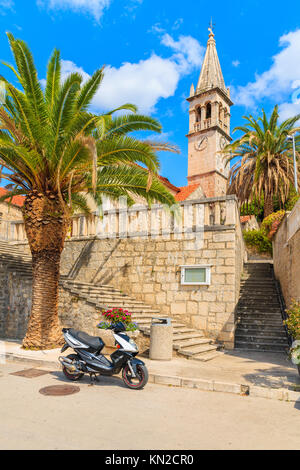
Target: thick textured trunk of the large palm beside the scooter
46	224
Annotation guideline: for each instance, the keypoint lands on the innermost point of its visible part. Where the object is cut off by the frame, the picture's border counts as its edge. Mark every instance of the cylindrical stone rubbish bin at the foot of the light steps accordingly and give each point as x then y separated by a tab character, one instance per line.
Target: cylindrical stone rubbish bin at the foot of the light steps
161	339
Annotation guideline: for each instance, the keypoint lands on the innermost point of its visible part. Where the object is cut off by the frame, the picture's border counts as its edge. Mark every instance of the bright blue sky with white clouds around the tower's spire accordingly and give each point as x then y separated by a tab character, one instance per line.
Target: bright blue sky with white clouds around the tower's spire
153	51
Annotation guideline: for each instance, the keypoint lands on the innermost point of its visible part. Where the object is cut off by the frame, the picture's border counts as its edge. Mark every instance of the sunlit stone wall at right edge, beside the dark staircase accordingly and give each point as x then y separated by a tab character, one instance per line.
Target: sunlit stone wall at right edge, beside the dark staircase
286	254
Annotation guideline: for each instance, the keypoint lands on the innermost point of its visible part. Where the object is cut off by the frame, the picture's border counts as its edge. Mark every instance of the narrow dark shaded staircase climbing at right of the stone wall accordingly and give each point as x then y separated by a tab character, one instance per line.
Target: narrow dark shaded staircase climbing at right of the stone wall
259	319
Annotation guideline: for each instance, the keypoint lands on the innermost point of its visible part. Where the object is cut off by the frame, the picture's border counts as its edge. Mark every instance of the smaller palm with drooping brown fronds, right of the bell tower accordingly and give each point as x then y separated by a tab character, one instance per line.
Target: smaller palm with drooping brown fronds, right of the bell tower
265	160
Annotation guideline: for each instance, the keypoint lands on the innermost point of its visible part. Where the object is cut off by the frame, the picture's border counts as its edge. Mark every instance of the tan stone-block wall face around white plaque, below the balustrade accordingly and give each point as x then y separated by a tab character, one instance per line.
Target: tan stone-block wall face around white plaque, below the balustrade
150	271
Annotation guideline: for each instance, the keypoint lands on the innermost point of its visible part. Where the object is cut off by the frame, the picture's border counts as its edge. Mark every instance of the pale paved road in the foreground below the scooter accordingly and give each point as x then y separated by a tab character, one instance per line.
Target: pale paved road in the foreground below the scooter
109	416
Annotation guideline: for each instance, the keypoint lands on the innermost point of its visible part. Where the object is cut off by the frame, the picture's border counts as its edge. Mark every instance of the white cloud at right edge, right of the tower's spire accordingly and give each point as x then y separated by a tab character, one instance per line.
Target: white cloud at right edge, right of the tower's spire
278	81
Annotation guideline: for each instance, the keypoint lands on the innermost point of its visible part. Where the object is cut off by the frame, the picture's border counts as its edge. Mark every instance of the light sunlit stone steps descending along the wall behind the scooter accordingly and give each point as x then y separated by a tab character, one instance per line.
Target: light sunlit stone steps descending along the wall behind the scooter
188	342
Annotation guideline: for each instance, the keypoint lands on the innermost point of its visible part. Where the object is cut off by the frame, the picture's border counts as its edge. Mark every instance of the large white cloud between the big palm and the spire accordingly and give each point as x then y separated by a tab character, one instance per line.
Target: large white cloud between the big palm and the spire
144	83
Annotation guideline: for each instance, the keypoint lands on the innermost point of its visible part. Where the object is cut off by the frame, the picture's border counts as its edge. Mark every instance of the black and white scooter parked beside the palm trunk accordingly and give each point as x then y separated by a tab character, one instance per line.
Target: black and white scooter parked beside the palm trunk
89	359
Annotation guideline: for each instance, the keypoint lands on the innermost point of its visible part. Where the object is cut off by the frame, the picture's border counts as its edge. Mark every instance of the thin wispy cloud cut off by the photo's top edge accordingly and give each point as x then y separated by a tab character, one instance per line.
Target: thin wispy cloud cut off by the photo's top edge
92	7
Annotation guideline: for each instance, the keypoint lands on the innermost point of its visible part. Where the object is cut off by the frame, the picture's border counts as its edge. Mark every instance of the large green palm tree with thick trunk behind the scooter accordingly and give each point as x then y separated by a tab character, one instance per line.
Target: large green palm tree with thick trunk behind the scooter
58	154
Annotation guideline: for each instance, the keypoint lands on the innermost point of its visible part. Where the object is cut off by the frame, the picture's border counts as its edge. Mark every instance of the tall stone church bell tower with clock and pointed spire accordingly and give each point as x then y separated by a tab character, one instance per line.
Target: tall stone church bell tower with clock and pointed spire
209	126
